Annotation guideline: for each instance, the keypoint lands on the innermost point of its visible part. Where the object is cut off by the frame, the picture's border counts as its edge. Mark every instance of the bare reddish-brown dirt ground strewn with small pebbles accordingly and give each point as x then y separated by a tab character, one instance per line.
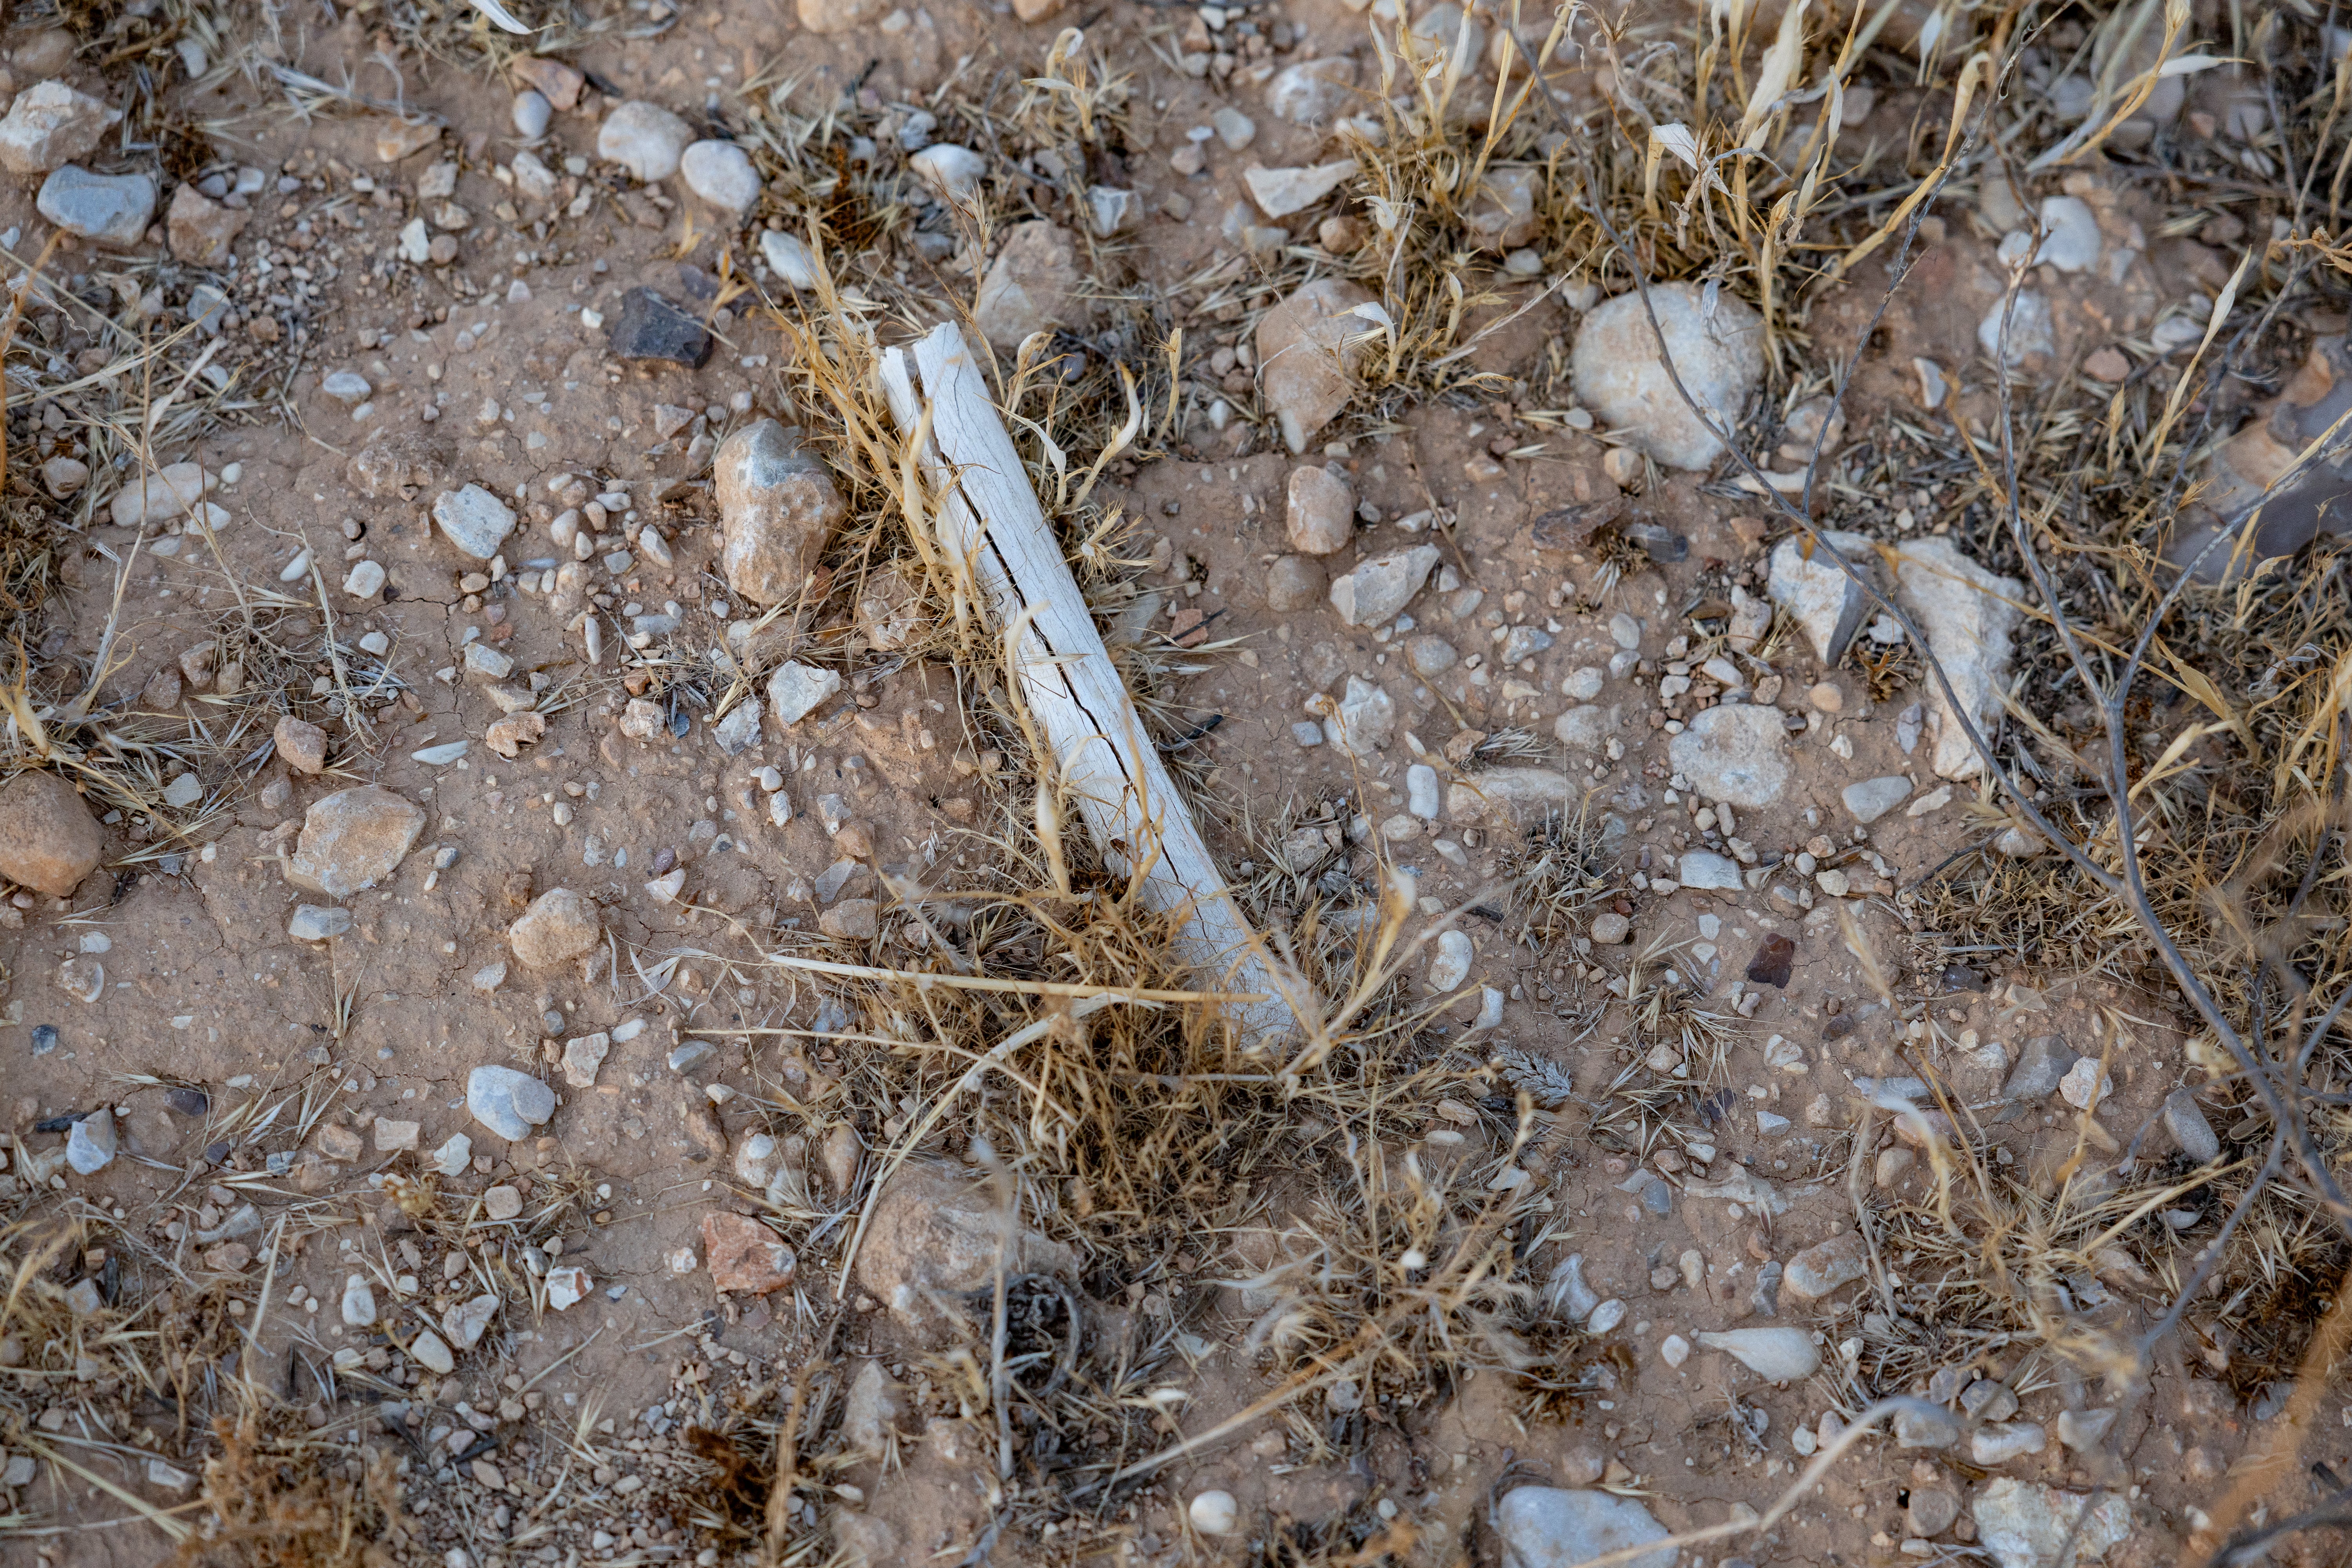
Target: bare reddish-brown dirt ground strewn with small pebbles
566	1435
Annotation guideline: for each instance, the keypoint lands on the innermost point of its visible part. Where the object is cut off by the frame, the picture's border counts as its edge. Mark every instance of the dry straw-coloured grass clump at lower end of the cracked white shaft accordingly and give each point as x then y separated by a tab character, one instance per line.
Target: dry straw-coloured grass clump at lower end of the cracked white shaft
1372	1202
